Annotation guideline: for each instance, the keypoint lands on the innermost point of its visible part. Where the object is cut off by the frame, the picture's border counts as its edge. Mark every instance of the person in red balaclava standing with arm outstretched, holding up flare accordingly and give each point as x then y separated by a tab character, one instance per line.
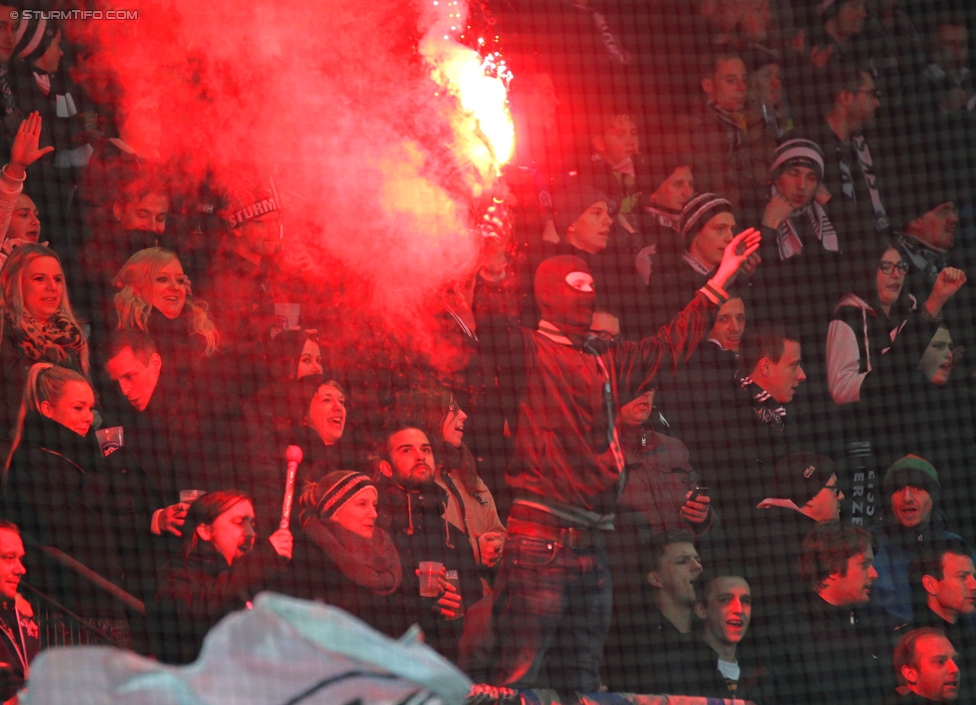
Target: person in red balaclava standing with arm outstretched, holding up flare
569	466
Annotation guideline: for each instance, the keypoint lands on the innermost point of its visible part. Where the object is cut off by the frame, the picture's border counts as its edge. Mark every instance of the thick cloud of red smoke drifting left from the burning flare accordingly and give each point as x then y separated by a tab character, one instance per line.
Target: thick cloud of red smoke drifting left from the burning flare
333	101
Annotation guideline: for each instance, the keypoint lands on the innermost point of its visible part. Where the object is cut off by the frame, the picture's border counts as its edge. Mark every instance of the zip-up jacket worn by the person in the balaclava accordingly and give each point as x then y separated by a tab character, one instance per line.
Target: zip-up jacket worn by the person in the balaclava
563	454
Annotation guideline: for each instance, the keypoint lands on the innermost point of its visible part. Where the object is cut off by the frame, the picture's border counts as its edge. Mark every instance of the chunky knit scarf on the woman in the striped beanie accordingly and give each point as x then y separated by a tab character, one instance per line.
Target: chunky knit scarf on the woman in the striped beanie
370	563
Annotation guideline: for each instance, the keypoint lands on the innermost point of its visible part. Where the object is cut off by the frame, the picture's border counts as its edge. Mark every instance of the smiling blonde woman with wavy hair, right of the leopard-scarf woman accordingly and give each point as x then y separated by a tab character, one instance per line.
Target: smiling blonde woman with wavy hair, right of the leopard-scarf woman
154	295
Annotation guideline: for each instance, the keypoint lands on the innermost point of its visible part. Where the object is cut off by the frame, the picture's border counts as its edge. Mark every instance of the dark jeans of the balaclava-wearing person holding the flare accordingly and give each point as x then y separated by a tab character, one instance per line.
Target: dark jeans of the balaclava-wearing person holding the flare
552	613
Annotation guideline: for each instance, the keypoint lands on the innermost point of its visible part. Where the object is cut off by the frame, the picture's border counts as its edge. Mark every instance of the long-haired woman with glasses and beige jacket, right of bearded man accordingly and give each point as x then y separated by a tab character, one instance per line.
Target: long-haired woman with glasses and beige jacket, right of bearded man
470	505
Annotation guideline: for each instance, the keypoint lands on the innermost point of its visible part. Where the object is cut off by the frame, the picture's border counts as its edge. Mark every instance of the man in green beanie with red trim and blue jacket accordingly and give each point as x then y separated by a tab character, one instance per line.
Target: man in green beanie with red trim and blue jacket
913	521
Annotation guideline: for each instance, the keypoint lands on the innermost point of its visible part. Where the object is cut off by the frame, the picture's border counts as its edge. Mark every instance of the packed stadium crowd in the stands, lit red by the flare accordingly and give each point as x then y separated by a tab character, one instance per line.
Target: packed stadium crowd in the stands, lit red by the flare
698	422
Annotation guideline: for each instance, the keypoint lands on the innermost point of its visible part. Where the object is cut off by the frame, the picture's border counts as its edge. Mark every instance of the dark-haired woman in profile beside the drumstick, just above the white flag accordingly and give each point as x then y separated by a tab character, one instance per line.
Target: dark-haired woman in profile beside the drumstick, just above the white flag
222	565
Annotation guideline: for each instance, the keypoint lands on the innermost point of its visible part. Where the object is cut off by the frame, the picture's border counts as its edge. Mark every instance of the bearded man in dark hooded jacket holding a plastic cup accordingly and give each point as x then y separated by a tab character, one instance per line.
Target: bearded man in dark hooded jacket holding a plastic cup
411	510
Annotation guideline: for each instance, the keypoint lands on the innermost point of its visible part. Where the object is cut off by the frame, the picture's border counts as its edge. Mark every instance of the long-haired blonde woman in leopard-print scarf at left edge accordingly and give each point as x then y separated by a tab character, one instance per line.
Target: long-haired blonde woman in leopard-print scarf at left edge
37	325
